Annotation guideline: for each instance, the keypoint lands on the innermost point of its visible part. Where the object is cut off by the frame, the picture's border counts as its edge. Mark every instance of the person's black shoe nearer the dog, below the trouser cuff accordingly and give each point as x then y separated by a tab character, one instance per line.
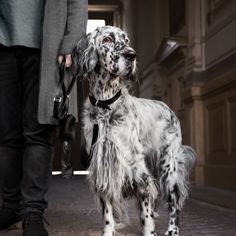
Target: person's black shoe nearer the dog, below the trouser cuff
33	224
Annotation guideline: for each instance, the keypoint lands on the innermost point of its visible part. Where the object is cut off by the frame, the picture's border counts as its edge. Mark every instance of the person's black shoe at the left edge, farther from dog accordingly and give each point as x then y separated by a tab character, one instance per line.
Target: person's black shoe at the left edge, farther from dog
8	217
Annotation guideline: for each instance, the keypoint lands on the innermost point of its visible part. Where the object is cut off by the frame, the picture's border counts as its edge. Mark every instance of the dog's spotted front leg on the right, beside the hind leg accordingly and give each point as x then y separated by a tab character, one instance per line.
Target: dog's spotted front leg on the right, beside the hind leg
147	206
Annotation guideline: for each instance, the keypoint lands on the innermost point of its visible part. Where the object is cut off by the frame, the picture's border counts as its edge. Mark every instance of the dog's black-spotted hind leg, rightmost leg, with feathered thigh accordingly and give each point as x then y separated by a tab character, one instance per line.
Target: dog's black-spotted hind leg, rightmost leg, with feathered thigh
176	164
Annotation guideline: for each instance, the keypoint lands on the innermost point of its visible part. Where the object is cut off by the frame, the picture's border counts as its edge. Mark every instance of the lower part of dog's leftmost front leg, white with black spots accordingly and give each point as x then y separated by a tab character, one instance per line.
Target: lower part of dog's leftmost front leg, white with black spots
109	222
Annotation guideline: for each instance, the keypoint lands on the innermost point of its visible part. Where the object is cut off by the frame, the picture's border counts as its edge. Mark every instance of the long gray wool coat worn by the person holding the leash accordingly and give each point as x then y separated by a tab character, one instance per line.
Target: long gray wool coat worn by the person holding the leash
64	24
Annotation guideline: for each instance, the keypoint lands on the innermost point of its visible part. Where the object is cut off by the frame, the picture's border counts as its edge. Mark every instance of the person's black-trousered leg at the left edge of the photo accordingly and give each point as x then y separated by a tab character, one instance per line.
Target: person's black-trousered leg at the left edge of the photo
10	137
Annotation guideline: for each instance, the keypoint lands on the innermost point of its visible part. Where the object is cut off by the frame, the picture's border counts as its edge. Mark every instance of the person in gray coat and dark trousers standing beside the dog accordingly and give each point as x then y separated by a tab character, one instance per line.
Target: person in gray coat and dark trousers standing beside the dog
34	37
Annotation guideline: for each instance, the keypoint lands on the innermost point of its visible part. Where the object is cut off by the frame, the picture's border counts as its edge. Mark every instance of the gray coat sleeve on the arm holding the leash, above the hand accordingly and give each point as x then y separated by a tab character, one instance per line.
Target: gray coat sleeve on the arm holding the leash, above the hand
77	15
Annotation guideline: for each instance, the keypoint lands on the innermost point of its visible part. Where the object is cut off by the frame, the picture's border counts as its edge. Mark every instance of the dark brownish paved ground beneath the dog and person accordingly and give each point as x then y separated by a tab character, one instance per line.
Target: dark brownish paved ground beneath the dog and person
72	212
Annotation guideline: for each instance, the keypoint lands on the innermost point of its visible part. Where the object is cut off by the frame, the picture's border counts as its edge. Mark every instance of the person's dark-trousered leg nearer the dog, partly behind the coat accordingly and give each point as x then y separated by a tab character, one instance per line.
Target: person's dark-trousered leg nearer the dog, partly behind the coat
38	150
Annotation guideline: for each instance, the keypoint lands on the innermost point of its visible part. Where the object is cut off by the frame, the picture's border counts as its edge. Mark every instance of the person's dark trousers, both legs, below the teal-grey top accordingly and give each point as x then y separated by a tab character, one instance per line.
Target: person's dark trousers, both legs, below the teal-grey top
25	145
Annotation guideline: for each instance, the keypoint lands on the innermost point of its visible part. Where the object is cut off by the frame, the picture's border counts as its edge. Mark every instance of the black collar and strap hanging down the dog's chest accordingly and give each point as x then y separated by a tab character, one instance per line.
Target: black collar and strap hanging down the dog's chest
105	105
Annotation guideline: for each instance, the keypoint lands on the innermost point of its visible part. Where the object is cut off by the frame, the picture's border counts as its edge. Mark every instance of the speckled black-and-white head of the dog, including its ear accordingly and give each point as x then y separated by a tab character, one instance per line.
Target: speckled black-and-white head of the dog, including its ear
106	47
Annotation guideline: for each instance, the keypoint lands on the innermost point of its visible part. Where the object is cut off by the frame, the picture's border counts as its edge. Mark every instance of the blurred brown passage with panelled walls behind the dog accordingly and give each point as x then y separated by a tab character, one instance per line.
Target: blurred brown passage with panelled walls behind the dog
187	58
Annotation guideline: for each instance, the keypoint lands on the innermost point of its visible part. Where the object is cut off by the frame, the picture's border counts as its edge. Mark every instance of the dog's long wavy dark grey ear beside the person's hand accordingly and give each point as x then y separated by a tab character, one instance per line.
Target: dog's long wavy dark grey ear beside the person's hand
84	56
